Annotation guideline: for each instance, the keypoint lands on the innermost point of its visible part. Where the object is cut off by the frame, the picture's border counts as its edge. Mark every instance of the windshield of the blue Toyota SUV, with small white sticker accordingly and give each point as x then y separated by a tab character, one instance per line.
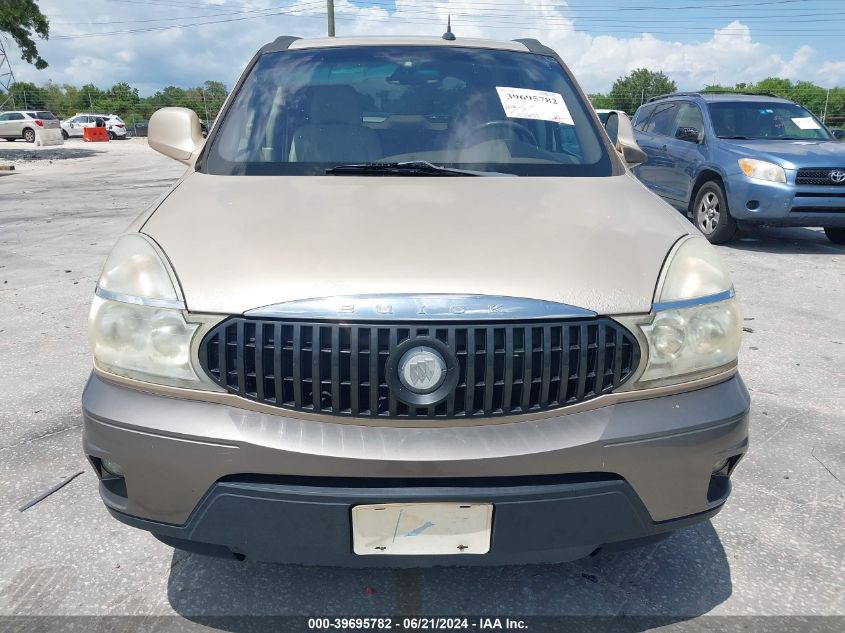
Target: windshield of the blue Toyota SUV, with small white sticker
765	120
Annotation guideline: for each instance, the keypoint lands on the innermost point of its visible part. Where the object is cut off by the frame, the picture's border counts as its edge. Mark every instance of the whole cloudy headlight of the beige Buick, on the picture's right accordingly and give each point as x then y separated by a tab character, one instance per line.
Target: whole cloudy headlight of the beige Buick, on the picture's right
697	324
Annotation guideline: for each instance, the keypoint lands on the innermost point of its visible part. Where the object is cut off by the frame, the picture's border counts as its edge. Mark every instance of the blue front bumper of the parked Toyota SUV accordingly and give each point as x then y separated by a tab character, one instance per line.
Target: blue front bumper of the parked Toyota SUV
785	204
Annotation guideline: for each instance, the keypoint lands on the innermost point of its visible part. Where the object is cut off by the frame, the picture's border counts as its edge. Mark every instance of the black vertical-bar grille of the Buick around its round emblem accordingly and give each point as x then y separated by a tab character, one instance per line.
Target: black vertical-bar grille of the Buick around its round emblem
504	368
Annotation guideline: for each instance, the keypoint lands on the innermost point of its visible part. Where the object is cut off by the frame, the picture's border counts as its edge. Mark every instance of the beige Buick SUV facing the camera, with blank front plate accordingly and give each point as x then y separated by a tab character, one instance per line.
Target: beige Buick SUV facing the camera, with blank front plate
370	329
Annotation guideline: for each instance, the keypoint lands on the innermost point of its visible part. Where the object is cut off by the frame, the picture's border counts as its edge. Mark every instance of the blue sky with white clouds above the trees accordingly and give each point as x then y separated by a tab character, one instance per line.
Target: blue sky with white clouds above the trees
151	44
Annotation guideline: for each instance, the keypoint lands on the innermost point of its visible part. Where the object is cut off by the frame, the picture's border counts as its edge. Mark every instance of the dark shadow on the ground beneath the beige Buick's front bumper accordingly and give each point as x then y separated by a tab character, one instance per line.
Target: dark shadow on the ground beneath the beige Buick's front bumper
677	579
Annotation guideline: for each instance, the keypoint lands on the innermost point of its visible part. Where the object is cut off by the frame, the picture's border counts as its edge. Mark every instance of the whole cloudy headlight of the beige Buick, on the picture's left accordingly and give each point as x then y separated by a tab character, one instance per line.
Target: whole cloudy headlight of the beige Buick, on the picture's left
137	325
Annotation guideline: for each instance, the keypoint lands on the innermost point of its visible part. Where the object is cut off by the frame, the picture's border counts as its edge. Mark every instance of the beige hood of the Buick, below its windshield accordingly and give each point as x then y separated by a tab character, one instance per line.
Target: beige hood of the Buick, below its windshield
239	242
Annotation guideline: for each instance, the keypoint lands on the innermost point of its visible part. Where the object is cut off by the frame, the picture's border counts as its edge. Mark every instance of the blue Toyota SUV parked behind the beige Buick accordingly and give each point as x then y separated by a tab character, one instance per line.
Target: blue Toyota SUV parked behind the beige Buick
734	160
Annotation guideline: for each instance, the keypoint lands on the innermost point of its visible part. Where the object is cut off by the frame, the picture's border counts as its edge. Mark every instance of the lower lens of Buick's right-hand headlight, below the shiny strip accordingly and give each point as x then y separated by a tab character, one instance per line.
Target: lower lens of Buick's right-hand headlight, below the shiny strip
689	340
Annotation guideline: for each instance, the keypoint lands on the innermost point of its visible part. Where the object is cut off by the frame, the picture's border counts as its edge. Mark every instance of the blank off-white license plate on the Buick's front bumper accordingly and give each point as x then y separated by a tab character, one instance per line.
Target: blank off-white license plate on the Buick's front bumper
422	528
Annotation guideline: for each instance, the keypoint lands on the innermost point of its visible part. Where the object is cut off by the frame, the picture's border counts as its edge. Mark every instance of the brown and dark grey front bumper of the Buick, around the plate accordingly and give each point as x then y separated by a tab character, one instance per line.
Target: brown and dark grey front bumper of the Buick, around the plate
279	488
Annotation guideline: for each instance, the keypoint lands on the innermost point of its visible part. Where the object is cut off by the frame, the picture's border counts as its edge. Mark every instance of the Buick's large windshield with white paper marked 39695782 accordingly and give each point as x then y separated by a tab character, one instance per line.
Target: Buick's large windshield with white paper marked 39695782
303	112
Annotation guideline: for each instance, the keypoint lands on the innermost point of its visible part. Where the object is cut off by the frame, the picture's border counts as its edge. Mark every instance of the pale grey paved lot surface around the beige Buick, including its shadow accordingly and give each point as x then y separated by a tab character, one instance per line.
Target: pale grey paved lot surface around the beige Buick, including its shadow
777	549
